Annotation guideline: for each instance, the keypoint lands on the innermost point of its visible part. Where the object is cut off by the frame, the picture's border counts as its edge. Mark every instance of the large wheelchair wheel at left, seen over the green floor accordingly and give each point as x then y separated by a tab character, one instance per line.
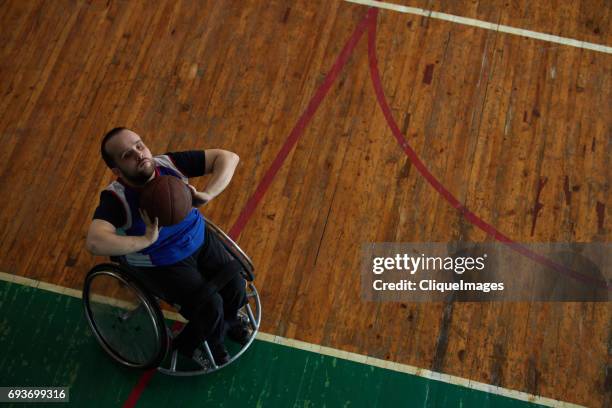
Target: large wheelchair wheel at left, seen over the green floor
126	321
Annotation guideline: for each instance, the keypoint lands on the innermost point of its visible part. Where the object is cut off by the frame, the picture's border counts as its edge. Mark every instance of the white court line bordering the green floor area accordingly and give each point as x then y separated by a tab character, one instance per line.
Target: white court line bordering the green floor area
345	355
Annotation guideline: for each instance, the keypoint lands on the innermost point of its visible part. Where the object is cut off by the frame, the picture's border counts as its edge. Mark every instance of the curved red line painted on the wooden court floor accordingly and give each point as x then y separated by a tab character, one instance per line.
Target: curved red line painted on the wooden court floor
436	184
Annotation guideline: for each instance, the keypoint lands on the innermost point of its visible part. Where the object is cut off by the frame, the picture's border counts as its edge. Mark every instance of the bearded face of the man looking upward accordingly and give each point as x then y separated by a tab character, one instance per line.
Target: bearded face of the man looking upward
132	157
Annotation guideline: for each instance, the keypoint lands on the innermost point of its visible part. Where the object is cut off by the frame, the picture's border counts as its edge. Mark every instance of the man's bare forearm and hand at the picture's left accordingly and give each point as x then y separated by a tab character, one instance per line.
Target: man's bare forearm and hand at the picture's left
102	238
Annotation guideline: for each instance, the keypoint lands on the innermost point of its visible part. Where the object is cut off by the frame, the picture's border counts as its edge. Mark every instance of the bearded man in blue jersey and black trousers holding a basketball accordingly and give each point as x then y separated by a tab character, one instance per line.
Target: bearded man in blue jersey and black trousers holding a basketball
190	267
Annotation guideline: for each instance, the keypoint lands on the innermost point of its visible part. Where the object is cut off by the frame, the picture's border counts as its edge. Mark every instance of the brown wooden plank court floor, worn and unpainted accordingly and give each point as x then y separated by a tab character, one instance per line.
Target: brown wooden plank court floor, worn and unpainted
517	129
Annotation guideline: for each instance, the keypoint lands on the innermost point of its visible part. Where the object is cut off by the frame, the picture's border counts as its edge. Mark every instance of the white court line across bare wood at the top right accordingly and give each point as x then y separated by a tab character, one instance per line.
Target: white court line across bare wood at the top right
485	24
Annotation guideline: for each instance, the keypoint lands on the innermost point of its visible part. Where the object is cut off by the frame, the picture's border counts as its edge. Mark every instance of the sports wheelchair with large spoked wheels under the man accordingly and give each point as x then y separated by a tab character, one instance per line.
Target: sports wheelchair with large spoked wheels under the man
125	315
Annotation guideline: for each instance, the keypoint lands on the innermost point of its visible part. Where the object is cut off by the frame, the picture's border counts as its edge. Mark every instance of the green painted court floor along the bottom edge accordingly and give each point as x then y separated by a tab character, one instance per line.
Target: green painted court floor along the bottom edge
46	342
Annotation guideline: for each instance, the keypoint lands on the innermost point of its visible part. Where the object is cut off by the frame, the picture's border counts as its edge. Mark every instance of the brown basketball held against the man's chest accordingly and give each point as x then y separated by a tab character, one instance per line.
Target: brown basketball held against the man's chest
167	198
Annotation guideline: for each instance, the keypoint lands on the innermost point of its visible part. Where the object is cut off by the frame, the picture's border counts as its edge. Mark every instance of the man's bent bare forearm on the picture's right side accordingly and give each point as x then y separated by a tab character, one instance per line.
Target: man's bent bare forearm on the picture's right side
221	165
